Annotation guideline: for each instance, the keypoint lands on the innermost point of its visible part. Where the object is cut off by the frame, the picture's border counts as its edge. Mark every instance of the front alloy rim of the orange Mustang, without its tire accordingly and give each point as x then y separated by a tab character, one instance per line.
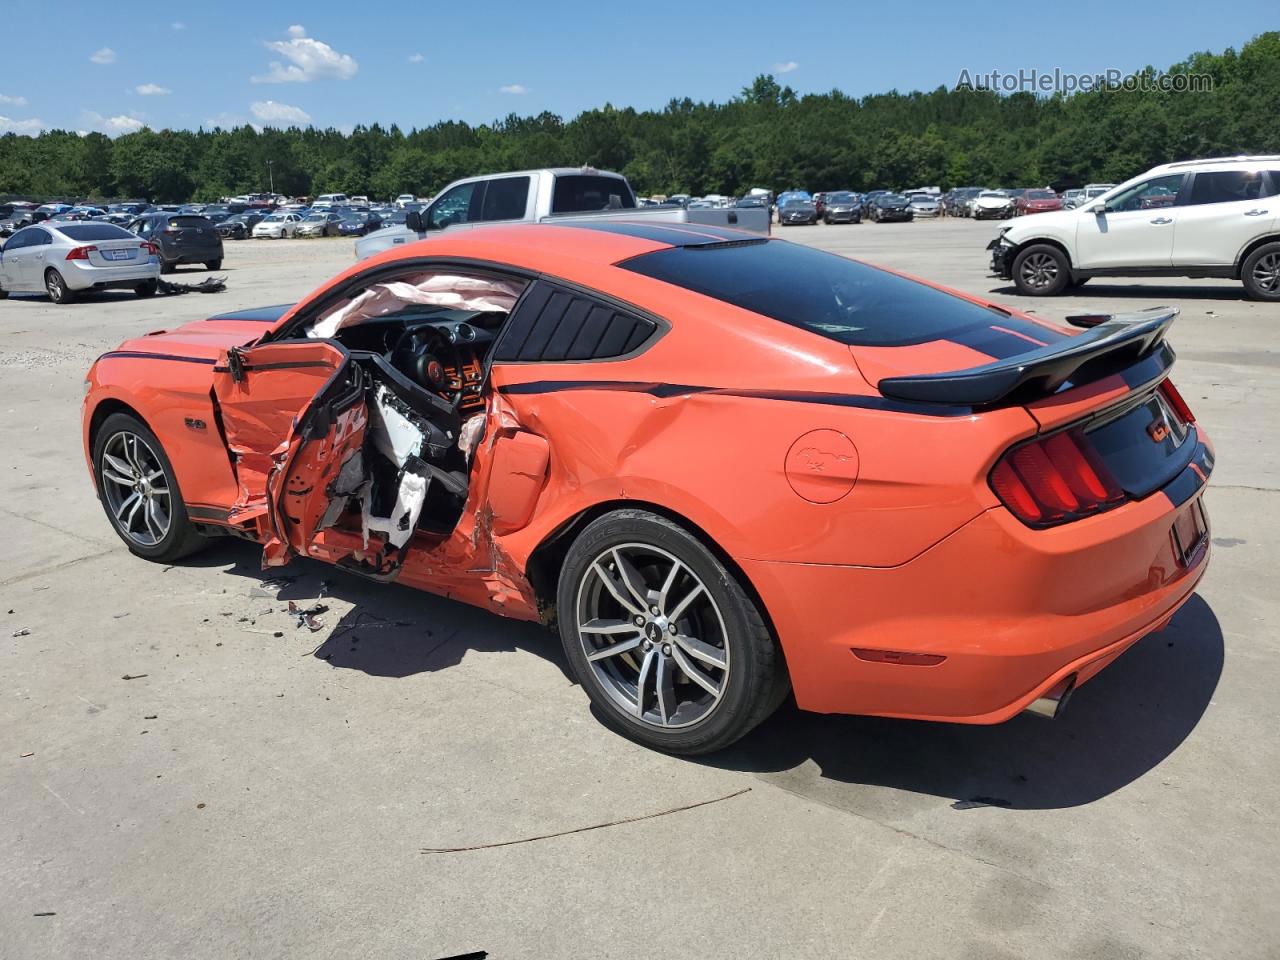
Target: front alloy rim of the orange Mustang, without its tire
136	490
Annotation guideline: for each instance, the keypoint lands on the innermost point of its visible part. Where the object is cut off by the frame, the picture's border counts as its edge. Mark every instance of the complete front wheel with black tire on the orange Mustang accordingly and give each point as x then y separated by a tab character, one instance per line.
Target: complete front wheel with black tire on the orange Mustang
120	438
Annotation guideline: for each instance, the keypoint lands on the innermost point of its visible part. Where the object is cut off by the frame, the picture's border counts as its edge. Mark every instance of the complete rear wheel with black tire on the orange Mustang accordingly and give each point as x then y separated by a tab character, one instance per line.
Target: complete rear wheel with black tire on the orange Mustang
717	633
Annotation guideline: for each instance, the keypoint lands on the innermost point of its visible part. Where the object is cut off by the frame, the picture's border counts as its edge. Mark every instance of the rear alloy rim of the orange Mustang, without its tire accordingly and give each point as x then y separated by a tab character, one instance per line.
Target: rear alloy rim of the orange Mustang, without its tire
653	636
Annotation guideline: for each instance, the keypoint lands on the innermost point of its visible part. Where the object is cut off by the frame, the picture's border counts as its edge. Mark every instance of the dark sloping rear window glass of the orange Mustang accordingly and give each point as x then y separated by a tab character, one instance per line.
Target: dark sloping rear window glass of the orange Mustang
842	300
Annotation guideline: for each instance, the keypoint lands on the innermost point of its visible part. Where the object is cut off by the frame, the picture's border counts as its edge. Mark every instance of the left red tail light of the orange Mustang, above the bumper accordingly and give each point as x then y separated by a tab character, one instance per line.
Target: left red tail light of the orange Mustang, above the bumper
1055	479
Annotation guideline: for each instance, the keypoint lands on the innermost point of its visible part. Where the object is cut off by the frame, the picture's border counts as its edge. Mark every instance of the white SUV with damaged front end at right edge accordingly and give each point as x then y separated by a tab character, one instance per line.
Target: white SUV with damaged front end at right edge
1200	218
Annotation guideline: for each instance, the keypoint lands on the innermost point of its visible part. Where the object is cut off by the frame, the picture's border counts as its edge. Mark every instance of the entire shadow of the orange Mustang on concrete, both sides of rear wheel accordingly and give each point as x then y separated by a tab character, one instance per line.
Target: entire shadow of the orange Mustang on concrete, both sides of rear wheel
1117	728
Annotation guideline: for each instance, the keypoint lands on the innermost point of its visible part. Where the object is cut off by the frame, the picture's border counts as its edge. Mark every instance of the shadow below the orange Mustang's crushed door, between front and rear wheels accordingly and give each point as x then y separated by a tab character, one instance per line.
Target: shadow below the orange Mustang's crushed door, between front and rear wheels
391	630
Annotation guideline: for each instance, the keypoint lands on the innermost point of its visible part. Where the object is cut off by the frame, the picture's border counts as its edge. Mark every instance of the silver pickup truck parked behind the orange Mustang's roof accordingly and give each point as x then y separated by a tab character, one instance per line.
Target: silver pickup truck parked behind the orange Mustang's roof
559	195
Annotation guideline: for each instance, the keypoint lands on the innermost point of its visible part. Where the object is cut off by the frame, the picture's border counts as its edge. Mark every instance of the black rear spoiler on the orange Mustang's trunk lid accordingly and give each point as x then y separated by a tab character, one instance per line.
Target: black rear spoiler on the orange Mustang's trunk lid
1110	345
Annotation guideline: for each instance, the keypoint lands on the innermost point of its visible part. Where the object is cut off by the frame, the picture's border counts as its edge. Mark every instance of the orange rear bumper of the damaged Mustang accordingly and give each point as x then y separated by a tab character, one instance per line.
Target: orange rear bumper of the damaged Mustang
1002	614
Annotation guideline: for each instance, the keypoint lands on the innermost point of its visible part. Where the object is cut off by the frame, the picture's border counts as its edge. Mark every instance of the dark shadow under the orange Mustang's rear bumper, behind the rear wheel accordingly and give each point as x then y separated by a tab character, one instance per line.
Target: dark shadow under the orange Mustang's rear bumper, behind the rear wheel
1117	728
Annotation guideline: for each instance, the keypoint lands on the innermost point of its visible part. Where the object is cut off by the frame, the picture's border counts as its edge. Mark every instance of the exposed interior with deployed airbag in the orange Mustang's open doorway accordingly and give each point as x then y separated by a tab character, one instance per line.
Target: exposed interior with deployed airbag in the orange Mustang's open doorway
422	344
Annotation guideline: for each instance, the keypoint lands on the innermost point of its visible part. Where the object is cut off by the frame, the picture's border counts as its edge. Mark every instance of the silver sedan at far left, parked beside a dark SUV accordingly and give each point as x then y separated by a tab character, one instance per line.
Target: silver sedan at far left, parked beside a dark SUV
67	259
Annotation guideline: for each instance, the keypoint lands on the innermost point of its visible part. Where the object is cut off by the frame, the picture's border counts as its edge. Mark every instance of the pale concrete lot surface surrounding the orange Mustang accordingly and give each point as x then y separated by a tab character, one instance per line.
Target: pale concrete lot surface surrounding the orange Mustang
260	797
